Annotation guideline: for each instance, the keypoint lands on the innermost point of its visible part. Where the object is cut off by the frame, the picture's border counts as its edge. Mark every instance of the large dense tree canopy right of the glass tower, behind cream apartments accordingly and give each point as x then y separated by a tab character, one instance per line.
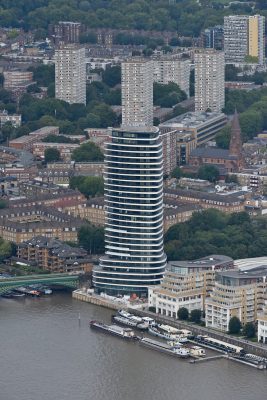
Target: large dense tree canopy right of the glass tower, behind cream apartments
213	232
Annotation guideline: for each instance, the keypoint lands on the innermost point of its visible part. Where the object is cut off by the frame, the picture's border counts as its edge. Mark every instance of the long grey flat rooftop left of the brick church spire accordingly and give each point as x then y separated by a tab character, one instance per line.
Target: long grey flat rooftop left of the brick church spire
193	119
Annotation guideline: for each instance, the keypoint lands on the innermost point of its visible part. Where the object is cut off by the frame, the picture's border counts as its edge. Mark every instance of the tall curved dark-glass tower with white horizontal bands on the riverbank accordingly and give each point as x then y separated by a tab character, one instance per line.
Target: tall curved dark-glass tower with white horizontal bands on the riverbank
134	257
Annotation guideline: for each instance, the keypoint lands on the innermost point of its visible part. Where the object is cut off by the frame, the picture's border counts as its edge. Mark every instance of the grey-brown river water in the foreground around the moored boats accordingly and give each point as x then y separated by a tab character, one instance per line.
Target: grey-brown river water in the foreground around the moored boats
46	355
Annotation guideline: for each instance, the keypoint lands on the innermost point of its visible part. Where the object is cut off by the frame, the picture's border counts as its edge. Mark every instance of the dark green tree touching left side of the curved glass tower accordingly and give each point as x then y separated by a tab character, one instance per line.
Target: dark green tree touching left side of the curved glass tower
91	238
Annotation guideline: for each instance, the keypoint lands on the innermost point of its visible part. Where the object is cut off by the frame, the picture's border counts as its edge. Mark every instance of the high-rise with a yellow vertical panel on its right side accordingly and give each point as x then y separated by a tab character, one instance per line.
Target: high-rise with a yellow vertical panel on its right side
243	37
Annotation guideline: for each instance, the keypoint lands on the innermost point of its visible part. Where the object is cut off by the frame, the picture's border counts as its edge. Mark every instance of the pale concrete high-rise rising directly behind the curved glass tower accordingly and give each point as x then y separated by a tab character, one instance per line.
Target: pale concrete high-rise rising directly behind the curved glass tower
137	92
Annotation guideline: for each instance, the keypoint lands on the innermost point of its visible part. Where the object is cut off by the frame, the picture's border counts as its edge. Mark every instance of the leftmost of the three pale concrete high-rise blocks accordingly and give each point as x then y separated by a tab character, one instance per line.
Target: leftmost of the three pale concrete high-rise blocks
70	74
